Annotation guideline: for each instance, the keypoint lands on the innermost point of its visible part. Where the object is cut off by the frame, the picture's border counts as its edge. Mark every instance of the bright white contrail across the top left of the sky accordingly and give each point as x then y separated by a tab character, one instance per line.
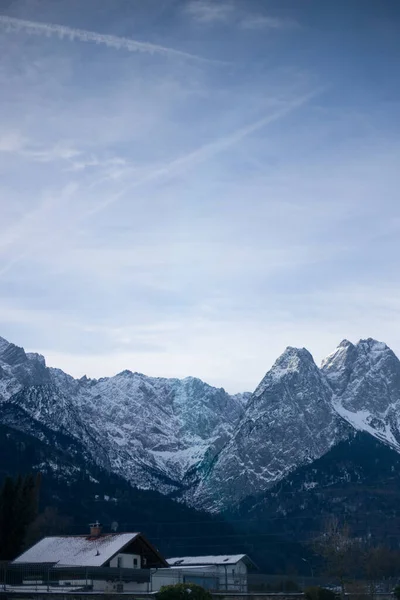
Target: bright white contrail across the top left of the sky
112	41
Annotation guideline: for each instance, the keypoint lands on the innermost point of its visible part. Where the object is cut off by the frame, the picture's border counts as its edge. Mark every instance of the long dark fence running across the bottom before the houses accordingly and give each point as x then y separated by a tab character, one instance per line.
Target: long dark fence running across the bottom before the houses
48	578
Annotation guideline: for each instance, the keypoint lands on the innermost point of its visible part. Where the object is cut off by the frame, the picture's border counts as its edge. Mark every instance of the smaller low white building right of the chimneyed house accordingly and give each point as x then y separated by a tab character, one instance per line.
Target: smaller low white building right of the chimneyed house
222	572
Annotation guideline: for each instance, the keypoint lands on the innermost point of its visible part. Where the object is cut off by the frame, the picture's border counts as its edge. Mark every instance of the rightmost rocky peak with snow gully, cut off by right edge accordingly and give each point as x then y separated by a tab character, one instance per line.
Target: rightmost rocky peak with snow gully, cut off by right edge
365	379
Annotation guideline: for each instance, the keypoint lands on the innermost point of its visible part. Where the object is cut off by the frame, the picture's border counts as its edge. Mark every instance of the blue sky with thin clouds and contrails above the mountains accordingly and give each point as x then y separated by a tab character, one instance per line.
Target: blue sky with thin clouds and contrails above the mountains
189	186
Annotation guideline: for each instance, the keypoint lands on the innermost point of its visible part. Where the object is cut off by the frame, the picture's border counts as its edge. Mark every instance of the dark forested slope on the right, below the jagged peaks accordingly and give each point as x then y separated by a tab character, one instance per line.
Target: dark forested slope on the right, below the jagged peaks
357	481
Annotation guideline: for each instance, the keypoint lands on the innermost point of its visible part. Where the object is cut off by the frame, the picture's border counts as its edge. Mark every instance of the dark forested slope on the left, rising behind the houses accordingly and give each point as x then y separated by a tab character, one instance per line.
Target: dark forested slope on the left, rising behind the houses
77	488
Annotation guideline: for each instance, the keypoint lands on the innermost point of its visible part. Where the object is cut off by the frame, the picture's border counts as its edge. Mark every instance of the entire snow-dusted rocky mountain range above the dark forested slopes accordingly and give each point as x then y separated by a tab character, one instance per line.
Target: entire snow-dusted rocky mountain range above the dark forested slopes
204	446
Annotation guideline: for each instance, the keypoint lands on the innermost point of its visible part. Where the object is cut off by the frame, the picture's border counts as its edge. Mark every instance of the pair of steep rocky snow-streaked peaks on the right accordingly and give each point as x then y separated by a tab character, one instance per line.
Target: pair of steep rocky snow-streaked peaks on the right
299	412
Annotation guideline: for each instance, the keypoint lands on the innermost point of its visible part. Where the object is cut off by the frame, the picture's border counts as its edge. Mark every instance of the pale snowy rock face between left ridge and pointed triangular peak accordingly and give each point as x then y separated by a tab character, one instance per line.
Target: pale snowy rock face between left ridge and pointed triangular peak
157	428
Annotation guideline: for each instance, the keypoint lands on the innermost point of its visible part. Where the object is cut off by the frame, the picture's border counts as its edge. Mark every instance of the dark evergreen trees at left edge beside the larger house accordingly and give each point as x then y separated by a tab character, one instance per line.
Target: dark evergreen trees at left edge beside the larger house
19	503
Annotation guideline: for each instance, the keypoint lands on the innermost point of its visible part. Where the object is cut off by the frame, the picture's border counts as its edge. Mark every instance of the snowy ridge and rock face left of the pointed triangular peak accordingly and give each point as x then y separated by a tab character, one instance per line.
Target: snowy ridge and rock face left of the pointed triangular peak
149	430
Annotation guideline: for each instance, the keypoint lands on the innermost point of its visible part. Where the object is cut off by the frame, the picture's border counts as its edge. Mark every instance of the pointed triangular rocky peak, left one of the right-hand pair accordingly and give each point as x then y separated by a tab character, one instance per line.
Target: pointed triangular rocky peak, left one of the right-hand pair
289	421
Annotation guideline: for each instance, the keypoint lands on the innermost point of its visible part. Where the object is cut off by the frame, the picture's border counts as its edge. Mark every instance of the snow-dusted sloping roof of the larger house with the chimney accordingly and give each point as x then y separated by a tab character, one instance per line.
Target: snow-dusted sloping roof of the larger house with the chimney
76	550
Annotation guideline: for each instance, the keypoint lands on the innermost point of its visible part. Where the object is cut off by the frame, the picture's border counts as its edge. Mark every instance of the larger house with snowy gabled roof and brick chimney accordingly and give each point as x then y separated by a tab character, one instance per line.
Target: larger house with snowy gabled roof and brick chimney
99	562
